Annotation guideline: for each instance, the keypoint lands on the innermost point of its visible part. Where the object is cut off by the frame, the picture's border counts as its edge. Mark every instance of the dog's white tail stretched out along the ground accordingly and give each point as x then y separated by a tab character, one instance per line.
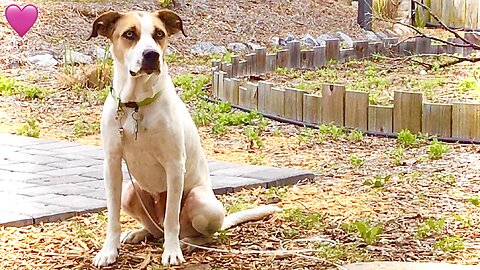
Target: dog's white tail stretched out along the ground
248	215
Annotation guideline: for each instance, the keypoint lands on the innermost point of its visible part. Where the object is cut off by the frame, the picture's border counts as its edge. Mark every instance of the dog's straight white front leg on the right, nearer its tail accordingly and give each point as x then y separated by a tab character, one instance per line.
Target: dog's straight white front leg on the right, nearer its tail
172	254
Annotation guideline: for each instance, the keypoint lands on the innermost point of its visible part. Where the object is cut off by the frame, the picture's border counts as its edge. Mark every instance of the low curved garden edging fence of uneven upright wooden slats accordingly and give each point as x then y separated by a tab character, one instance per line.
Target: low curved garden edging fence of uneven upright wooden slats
336	105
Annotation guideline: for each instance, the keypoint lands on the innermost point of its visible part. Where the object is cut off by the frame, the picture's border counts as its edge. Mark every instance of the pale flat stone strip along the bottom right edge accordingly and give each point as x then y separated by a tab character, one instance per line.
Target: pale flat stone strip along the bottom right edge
408	266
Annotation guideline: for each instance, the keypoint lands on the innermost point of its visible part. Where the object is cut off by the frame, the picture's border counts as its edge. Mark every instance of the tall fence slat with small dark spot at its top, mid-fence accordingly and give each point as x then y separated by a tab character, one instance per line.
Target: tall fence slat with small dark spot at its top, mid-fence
333	104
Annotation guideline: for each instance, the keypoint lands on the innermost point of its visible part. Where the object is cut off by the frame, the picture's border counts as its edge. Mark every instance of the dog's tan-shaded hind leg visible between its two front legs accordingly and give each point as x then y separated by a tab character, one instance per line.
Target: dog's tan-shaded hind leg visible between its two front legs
133	207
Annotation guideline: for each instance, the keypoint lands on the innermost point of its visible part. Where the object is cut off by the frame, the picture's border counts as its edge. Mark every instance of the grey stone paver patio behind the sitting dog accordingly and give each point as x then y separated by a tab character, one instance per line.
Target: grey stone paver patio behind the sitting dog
45	181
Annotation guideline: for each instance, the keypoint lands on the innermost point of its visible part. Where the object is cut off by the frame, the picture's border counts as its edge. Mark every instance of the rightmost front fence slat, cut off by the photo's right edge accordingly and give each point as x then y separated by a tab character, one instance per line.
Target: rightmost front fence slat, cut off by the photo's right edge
466	120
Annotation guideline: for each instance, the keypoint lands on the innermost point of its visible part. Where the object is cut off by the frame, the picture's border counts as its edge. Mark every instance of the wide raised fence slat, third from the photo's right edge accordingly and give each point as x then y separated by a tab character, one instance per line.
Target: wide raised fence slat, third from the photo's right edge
407	111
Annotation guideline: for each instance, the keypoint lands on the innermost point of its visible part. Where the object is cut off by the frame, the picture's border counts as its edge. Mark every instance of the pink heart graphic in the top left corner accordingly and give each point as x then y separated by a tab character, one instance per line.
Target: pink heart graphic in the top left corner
21	19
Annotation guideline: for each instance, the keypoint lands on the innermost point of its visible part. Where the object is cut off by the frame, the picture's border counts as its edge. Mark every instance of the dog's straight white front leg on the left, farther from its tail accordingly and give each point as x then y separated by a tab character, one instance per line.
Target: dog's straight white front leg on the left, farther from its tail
113	187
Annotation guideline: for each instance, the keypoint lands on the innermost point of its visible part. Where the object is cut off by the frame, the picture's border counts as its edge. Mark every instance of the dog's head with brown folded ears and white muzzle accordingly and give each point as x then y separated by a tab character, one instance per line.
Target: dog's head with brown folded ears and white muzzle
139	39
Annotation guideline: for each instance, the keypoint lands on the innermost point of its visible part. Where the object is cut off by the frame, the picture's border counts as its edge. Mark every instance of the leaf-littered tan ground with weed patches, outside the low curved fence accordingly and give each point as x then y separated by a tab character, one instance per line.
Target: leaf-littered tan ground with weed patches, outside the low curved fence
406	194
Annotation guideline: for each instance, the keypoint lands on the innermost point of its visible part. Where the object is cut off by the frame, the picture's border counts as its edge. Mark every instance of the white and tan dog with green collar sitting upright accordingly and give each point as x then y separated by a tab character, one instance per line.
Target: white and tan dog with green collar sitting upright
146	124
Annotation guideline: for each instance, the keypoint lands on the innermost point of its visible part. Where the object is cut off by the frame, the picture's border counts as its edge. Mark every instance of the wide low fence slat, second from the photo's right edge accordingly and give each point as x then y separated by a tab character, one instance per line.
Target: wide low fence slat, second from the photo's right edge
437	119
